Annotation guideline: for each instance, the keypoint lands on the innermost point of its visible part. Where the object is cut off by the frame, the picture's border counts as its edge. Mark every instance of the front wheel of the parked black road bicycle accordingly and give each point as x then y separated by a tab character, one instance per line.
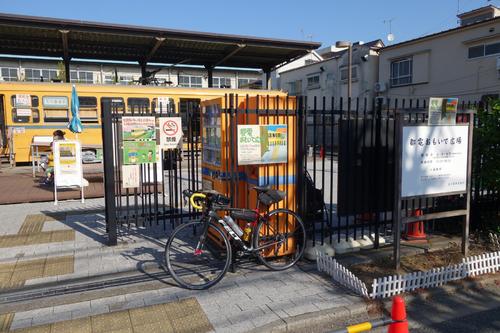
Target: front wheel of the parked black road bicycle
192	275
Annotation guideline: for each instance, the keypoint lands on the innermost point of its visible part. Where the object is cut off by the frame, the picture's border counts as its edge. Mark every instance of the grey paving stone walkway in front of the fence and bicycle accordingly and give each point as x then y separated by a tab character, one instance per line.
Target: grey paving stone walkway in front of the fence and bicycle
250	298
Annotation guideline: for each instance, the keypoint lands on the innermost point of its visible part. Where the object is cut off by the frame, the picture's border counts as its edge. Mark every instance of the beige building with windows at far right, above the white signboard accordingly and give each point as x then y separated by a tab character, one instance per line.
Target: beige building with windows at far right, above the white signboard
462	62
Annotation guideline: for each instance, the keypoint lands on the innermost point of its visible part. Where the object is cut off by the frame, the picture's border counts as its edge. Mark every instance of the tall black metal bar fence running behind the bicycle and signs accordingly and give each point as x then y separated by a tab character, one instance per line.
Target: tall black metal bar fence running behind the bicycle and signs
342	182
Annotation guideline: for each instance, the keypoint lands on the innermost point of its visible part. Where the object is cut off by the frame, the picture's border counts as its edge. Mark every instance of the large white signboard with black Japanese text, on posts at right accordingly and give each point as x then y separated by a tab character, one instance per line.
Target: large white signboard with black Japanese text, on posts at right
434	160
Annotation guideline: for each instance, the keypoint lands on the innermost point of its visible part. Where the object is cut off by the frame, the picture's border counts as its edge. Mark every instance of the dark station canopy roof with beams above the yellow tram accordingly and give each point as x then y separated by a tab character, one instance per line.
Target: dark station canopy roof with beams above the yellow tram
41	36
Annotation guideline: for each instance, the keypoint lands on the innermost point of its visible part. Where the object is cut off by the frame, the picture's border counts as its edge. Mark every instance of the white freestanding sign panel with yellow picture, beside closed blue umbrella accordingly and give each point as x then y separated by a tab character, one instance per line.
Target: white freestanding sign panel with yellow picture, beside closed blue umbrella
67	163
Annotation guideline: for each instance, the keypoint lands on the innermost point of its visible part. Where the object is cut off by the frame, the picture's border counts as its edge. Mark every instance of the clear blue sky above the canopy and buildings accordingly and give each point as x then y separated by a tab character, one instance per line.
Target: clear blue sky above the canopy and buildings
324	21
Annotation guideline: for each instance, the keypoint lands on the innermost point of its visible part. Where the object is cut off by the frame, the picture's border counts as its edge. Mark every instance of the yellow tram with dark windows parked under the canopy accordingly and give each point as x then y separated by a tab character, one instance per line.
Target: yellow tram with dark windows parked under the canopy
49	110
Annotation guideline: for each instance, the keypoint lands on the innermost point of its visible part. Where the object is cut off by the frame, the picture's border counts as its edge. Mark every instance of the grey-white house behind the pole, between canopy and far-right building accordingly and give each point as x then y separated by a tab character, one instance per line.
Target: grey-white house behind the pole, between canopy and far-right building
329	77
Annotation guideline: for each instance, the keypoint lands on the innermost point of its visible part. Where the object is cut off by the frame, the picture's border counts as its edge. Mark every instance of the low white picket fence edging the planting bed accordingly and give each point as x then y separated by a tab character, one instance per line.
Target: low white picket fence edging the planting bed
388	286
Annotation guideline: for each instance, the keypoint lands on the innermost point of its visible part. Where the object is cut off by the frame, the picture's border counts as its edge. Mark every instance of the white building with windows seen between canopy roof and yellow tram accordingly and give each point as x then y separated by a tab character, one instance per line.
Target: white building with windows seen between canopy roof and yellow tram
36	70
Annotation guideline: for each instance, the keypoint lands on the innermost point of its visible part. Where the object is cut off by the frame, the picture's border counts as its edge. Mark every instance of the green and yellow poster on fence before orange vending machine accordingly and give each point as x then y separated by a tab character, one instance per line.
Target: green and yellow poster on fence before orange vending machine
262	144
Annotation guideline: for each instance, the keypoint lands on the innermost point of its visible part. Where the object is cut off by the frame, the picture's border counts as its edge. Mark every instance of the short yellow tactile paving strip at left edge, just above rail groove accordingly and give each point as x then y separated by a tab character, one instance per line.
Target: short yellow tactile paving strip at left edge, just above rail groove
14	275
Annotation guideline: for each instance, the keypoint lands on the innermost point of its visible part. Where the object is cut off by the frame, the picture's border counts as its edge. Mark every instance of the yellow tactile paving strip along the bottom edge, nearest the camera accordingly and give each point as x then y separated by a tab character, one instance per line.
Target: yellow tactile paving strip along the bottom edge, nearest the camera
177	317
